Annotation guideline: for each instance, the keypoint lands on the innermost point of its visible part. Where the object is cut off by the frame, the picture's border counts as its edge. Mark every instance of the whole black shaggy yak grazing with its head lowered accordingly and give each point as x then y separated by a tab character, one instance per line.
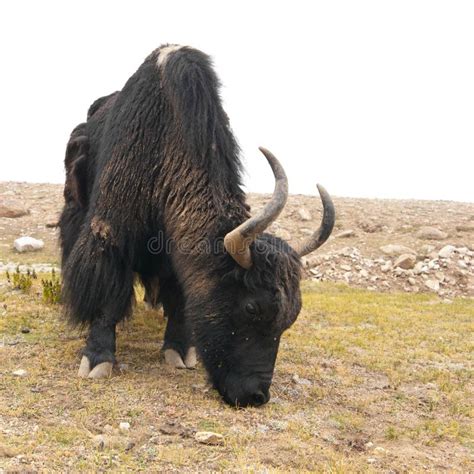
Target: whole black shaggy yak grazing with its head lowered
153	188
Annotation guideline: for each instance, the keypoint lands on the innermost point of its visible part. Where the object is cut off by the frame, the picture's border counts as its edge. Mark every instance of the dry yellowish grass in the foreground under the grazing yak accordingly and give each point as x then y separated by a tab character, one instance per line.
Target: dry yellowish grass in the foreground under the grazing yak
394	370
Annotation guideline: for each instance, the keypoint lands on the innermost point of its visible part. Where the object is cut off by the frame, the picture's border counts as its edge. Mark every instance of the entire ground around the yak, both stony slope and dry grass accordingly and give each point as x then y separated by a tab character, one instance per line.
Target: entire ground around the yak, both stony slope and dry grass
365	381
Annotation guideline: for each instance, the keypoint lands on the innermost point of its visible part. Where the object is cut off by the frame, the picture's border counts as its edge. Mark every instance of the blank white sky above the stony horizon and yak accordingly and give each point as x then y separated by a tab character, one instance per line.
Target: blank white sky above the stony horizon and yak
369	98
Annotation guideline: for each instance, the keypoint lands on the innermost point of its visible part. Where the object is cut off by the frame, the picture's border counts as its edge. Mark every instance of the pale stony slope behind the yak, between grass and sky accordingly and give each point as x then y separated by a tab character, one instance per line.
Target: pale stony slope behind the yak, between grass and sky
384	245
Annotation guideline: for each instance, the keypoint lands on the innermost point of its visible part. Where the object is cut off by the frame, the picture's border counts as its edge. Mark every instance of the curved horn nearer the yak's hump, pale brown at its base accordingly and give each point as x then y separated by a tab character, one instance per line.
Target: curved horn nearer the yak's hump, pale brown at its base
237	241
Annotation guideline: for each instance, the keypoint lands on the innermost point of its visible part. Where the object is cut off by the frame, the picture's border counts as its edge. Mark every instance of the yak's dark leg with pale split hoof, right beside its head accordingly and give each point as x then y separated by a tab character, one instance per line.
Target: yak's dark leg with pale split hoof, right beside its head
178	348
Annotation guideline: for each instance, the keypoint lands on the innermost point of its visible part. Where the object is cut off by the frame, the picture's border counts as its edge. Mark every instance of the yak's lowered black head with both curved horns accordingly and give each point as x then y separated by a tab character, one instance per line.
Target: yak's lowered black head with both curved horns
243	315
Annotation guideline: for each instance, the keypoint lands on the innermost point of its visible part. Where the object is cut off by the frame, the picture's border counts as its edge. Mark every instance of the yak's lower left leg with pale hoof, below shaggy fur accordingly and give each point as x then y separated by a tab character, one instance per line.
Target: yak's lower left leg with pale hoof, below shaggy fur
99	354
